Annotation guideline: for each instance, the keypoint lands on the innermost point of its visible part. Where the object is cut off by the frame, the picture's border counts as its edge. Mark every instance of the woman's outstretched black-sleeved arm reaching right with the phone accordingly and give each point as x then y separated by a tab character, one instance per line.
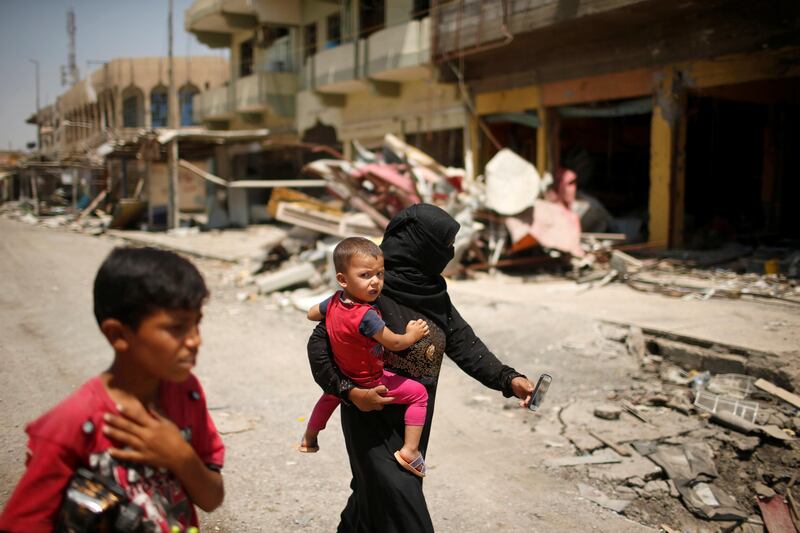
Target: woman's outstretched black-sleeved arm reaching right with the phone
474	358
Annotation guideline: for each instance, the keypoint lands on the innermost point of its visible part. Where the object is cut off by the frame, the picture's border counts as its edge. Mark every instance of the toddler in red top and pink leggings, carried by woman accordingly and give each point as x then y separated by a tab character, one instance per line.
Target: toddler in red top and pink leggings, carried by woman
358	336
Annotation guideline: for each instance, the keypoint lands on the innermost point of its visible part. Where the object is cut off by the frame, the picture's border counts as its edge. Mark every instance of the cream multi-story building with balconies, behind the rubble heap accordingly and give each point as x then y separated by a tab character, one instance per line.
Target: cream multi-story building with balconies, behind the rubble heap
331	72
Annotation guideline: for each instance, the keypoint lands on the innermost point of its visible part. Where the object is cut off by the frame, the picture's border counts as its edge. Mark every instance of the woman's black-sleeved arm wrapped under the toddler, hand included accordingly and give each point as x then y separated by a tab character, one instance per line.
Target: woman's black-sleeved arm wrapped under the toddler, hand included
332	381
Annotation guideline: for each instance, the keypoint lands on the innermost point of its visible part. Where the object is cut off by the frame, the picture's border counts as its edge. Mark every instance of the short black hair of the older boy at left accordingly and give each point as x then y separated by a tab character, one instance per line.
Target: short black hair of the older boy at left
134	282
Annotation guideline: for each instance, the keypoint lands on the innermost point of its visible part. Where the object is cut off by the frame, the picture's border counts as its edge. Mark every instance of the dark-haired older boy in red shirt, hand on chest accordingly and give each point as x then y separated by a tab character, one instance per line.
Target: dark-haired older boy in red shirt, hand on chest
141	427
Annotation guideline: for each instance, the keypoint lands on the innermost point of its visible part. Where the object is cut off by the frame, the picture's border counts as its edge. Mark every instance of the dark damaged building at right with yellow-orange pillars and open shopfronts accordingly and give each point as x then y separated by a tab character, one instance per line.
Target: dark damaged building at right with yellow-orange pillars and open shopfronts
682	116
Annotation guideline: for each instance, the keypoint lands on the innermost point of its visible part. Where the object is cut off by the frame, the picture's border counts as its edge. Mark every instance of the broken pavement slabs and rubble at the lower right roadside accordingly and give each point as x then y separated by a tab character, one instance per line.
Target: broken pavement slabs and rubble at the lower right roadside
687	449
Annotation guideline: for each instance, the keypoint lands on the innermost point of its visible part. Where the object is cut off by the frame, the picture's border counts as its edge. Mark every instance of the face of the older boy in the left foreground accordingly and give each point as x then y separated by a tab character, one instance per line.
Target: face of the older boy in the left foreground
166	342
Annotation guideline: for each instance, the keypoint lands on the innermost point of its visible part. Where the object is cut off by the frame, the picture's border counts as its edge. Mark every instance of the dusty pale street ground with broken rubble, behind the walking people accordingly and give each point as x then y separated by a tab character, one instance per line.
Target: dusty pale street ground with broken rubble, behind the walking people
669	409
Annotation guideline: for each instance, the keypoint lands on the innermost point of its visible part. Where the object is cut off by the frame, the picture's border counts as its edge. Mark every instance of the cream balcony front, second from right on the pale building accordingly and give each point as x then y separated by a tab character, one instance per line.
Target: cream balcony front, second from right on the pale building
337	70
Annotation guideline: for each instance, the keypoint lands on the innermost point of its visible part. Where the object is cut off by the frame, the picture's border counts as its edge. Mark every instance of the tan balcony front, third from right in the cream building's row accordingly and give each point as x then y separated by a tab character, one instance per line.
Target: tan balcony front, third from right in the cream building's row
272	92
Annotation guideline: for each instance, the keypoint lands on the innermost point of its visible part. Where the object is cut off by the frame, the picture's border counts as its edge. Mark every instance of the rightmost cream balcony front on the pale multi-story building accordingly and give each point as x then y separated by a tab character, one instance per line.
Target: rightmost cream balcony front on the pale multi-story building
401	52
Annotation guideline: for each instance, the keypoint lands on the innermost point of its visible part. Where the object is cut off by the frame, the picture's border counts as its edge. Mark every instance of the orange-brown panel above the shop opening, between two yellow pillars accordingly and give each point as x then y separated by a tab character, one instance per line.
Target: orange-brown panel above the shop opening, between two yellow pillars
626	84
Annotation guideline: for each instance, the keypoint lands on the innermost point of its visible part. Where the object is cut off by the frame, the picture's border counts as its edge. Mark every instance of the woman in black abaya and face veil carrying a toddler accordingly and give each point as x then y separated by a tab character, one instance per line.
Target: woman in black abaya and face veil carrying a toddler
417	245
